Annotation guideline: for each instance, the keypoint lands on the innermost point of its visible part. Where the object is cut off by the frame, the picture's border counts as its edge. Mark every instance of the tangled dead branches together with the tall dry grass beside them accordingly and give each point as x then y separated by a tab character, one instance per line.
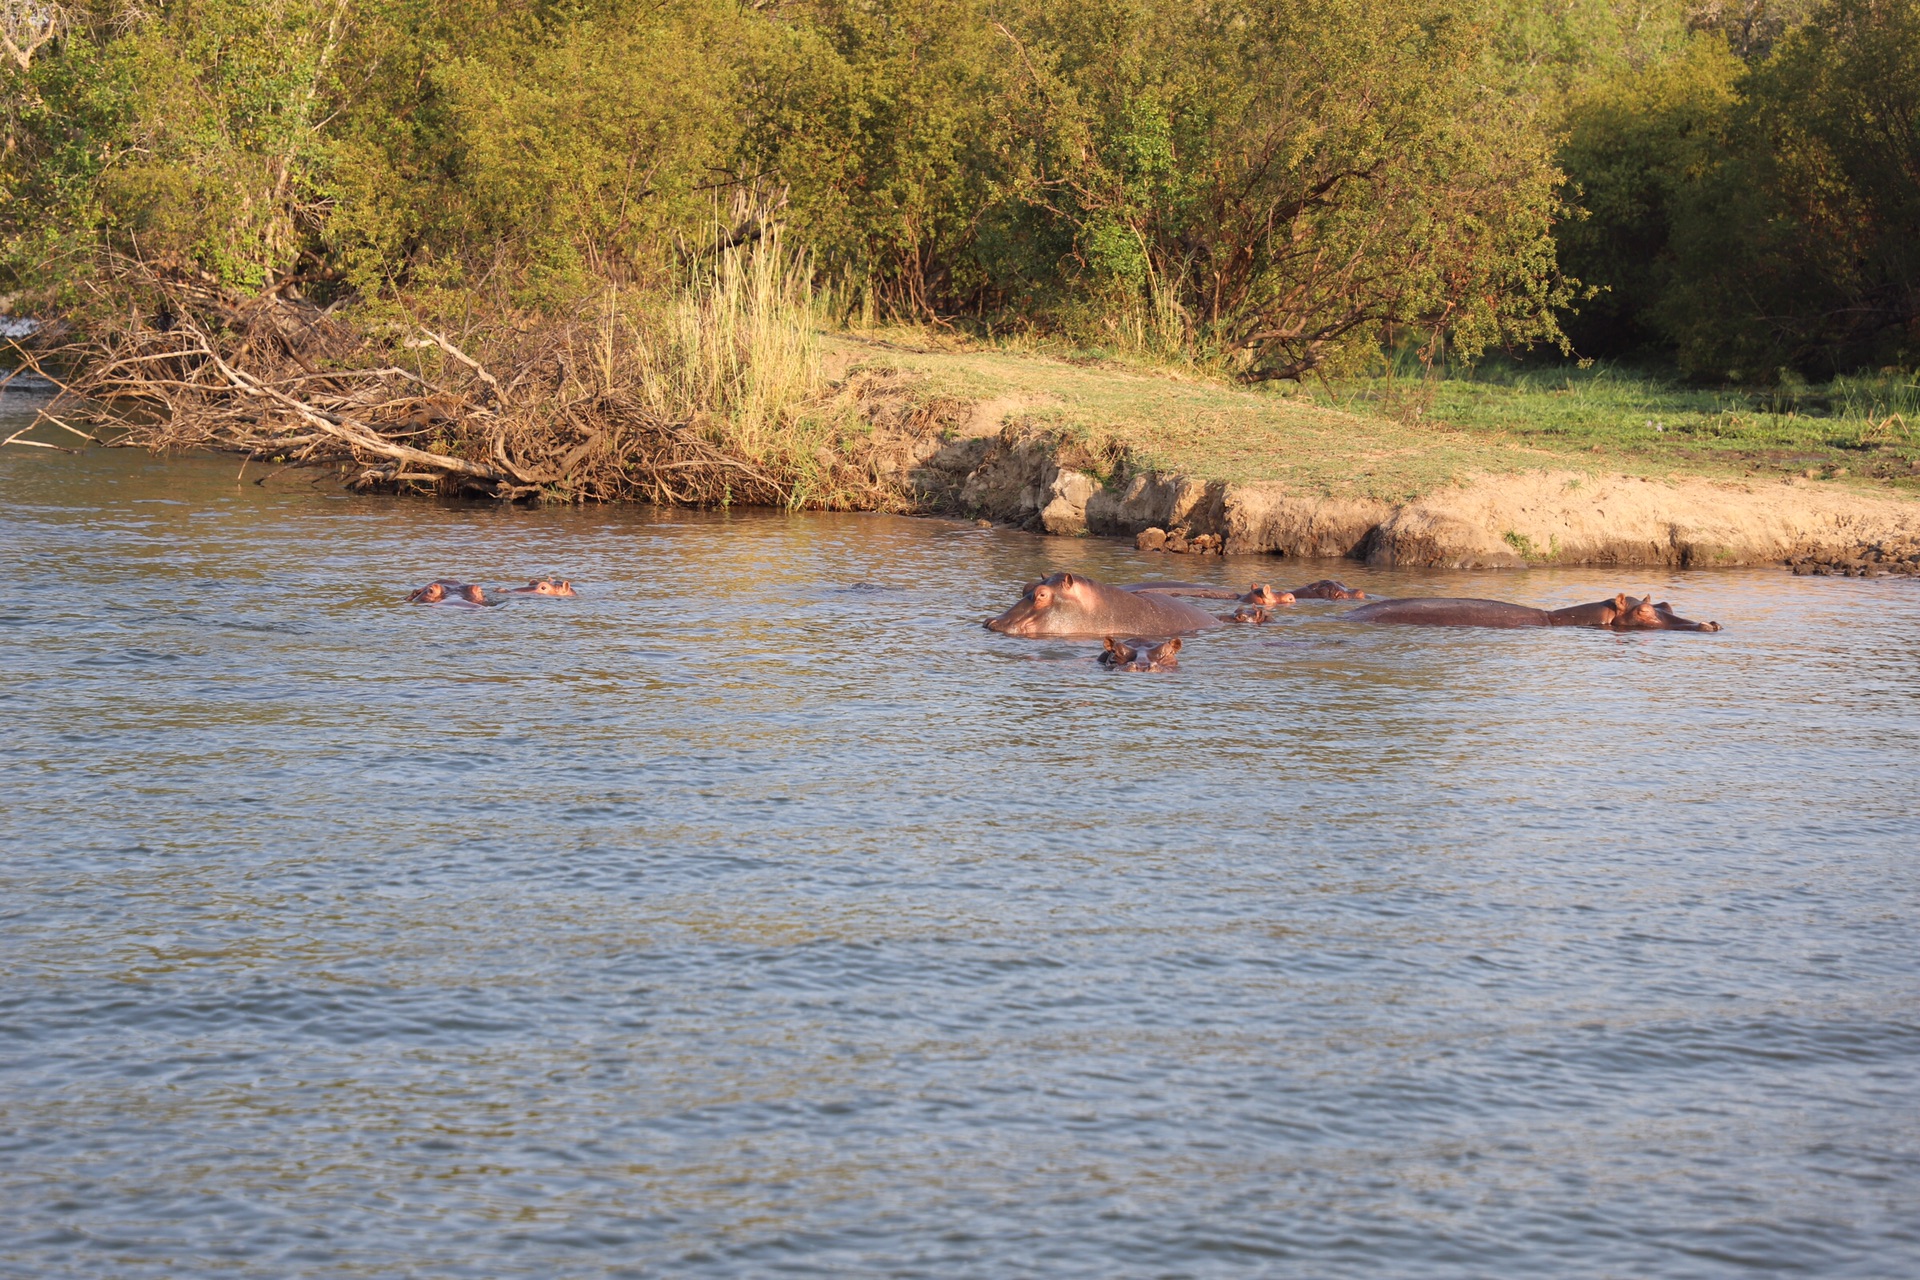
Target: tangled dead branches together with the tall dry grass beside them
711	394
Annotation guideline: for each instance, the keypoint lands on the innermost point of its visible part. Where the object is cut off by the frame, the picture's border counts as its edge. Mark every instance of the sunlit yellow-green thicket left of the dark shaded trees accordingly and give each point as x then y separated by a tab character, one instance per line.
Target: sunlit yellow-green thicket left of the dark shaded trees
1272	181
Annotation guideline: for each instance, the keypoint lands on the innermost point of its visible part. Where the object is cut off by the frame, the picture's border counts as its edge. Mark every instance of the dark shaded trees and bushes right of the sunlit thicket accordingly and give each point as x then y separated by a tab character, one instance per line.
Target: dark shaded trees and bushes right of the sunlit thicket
1754	193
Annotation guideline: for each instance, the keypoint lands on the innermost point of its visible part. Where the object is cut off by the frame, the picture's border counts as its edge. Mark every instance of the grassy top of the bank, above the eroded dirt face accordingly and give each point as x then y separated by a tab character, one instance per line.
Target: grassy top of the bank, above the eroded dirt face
1399	439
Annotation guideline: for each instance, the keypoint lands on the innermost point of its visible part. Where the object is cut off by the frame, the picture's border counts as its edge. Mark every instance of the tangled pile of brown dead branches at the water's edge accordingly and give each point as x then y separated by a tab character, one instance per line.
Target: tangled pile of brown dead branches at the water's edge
519	410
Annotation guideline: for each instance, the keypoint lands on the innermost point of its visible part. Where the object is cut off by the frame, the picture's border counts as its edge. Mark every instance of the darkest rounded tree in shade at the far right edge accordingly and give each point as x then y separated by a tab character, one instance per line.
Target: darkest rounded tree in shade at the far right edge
1802	247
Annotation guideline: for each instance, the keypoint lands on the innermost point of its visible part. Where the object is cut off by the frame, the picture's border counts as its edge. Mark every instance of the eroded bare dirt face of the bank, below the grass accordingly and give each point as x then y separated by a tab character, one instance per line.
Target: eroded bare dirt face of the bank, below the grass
1548	517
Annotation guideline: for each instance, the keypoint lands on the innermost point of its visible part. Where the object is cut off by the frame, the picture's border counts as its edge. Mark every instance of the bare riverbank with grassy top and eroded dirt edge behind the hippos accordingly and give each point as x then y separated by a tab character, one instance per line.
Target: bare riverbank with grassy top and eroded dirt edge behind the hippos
1191	465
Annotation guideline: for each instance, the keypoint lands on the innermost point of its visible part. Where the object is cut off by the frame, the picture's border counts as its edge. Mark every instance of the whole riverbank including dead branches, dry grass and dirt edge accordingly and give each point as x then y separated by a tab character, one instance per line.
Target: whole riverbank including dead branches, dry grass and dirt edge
1460	473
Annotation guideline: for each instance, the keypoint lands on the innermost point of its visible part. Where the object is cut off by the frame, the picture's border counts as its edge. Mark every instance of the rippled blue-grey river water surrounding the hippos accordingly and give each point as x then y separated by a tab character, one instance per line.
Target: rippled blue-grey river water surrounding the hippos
761	914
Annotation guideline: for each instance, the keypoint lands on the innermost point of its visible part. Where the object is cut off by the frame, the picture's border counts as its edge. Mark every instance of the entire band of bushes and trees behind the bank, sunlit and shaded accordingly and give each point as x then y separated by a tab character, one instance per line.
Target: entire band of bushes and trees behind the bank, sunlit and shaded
1278	185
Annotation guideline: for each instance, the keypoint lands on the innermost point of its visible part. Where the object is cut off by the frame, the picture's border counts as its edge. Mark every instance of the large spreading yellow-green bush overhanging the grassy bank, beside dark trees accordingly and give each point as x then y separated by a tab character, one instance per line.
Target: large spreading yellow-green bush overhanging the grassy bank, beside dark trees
1299	176
